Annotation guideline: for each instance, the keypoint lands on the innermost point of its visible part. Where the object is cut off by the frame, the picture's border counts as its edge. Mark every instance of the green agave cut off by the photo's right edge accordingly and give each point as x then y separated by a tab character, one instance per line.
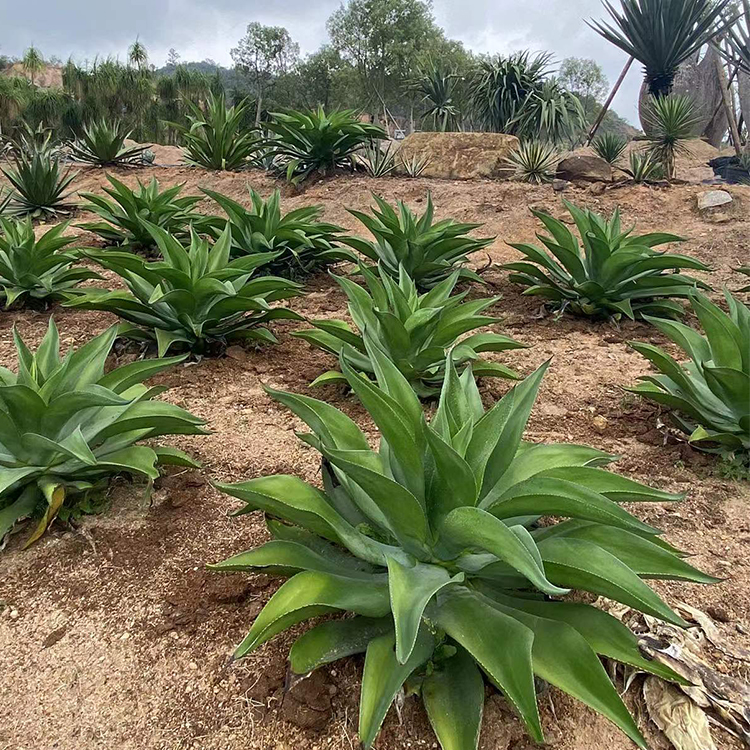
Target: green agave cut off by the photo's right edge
710	394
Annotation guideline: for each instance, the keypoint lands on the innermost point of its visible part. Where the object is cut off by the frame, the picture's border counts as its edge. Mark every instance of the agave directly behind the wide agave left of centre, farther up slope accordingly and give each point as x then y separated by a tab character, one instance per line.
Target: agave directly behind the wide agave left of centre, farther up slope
124	217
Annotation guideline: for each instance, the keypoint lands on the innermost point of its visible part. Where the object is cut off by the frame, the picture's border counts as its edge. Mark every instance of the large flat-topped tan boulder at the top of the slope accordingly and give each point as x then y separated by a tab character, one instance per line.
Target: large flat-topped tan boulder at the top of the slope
461	156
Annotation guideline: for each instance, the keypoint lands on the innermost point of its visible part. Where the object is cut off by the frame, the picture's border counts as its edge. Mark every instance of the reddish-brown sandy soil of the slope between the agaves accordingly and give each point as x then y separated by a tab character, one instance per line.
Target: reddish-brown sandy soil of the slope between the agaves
114	635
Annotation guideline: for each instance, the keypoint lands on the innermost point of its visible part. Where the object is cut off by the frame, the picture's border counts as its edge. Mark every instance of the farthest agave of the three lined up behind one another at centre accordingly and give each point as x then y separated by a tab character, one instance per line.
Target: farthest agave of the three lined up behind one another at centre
427	252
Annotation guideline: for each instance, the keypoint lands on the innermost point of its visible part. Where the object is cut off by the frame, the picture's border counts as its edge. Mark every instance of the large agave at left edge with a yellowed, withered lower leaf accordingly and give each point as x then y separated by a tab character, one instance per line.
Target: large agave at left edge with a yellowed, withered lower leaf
68	427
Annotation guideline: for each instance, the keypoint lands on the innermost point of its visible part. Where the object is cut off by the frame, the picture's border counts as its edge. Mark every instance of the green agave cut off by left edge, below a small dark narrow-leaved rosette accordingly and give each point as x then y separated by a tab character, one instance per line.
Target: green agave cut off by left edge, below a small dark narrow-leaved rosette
37	269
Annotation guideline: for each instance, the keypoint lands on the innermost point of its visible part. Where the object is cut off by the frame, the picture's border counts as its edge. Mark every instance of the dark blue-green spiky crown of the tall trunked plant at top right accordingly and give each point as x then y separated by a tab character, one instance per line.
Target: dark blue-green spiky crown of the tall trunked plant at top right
661	34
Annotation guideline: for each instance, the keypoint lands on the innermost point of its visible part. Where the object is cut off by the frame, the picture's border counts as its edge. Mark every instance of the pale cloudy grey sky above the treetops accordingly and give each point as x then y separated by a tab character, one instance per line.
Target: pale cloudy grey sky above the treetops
200	29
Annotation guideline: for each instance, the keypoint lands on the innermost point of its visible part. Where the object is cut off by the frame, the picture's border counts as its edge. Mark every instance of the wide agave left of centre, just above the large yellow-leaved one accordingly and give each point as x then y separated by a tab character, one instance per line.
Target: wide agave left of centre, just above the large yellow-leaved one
195	298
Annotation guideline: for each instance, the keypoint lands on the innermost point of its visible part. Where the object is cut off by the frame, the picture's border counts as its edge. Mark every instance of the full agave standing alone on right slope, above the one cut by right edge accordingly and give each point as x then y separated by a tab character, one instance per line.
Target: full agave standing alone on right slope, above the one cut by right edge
615	273
